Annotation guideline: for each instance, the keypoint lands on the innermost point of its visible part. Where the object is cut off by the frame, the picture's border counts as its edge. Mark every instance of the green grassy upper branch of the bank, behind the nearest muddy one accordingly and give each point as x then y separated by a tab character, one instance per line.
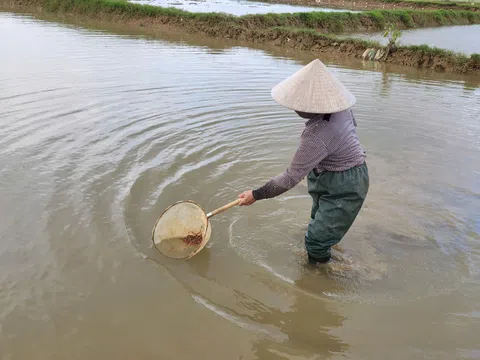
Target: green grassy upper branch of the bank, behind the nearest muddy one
327	22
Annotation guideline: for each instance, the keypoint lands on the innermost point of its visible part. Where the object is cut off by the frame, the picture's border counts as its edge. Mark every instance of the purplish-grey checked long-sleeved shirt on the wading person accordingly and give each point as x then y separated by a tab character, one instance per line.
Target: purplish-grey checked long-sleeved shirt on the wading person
325	145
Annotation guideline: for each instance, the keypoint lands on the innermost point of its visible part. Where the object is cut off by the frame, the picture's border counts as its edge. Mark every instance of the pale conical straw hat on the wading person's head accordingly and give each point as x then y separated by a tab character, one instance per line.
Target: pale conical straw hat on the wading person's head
313	89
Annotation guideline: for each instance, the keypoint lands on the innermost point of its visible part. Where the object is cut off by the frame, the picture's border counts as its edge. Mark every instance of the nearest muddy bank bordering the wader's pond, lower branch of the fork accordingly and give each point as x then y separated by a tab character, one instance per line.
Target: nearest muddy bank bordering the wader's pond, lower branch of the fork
246	29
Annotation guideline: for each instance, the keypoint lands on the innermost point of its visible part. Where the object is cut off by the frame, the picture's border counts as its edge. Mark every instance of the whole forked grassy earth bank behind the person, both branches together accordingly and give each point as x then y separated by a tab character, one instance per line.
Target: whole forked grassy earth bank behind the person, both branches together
298	31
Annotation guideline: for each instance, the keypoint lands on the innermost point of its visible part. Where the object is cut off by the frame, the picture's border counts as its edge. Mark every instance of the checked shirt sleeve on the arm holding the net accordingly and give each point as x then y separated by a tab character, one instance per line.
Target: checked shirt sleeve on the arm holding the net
311	151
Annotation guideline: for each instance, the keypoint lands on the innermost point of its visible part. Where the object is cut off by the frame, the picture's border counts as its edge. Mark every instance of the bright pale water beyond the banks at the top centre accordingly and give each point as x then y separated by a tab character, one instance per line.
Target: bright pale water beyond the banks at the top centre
233	7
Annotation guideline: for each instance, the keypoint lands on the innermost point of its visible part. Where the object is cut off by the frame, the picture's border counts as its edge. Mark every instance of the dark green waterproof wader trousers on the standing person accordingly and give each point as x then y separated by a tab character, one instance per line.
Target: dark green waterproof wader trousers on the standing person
337	199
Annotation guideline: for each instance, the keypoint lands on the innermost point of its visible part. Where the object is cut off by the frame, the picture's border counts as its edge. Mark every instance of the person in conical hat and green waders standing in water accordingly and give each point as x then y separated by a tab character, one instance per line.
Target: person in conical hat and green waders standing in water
329	154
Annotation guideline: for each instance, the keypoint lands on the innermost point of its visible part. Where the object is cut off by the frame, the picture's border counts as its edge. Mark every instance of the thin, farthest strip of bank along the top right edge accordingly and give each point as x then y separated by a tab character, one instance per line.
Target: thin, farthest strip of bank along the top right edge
382	4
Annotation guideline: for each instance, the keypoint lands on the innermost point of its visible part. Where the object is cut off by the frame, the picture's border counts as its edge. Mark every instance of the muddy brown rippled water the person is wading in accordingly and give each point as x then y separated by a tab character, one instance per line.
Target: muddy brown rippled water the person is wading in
100	132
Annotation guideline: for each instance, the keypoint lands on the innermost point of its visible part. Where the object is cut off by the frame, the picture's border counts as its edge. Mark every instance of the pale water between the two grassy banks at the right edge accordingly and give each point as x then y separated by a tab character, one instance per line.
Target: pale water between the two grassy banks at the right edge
464	39
